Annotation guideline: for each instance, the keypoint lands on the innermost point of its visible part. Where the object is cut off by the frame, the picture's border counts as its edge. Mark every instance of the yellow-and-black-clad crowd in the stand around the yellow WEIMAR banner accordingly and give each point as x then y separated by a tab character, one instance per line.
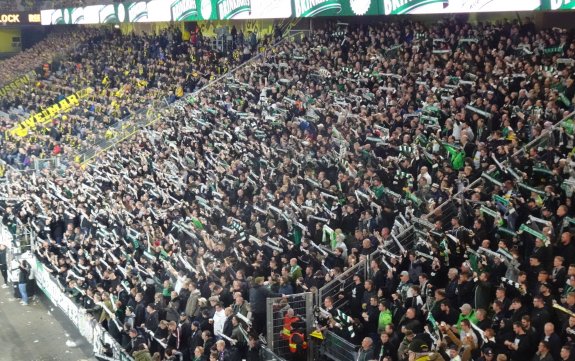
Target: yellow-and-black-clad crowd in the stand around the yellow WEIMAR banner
124	80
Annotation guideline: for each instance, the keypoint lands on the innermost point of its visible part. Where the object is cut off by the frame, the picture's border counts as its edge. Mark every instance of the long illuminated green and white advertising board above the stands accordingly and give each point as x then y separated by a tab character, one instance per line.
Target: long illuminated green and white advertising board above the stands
196	10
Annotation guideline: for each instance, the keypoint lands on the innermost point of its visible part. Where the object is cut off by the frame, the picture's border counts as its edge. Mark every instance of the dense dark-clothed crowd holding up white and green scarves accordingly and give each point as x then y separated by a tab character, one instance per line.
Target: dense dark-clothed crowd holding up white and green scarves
298	165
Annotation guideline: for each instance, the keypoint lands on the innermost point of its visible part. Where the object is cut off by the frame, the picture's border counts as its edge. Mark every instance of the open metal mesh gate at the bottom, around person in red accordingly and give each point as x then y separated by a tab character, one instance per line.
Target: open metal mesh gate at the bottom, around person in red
276	308
